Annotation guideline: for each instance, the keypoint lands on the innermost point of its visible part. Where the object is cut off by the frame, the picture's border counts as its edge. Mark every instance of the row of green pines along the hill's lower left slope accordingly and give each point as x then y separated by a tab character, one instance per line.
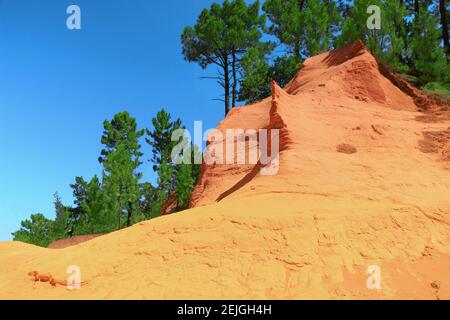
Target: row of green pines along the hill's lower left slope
120	198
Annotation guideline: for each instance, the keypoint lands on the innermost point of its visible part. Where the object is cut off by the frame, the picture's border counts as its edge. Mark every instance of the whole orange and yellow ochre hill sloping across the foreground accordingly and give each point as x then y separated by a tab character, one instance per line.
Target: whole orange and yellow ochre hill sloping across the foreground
364	180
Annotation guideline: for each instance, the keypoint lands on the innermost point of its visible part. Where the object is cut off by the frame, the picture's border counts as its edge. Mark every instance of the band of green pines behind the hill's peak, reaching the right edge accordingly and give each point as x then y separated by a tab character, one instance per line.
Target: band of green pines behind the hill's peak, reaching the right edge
410	39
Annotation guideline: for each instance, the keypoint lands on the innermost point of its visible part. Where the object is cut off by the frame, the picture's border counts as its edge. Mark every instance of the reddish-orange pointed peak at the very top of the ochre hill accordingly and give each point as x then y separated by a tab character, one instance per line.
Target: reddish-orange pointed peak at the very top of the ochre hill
349	73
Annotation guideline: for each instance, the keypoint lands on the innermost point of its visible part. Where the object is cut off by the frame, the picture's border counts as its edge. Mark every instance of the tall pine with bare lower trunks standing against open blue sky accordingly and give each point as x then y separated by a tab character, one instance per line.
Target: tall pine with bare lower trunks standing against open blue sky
221	35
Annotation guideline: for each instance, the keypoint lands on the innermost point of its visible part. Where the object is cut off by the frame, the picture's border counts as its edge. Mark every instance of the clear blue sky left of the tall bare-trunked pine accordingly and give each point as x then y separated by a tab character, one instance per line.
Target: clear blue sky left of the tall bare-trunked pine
58	86
